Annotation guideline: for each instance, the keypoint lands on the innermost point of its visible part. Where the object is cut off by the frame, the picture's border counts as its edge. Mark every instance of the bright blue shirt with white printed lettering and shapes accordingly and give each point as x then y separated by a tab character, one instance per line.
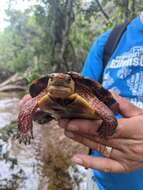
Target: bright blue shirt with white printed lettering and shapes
123	74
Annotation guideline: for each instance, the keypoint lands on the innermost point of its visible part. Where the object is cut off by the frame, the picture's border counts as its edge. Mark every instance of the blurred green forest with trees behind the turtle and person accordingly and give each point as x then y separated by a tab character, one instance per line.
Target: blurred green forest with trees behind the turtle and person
55	35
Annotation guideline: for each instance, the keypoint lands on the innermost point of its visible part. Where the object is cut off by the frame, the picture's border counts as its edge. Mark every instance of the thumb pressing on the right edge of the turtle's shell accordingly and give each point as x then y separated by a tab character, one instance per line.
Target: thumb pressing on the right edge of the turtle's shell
126	108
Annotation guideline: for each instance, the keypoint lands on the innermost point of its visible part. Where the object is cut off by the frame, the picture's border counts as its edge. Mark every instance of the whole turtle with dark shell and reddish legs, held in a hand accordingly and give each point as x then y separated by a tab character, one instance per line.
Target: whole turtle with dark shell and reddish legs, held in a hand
67	95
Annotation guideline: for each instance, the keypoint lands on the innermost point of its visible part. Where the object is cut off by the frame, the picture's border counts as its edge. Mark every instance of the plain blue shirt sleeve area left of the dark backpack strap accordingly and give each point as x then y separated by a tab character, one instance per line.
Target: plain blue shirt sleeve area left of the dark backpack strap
93	64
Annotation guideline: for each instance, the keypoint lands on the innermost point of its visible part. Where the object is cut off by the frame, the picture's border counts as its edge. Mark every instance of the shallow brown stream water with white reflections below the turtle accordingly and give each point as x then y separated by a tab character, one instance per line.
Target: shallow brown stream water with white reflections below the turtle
36	166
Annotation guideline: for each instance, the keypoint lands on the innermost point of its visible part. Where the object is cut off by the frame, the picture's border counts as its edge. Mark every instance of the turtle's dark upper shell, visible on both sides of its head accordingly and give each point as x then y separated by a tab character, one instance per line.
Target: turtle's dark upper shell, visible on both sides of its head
92	86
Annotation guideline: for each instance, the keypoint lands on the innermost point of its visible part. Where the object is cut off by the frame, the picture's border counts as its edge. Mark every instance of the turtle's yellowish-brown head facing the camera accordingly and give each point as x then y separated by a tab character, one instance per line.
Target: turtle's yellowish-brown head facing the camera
60	85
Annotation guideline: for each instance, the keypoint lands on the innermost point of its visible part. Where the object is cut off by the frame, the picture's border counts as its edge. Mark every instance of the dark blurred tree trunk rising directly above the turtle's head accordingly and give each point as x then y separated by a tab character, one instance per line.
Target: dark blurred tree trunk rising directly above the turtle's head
63	19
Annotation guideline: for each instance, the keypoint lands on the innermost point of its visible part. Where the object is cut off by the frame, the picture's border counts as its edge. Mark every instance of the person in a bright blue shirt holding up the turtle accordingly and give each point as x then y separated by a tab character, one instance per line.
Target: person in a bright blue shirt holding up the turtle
118	160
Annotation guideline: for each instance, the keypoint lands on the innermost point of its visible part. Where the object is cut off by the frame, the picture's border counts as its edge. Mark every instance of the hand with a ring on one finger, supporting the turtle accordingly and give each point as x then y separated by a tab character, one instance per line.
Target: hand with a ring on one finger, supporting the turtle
127	143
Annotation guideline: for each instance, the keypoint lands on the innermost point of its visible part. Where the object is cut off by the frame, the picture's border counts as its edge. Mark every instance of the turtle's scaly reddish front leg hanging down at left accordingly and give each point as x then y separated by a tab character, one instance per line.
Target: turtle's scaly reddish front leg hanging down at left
25	125
